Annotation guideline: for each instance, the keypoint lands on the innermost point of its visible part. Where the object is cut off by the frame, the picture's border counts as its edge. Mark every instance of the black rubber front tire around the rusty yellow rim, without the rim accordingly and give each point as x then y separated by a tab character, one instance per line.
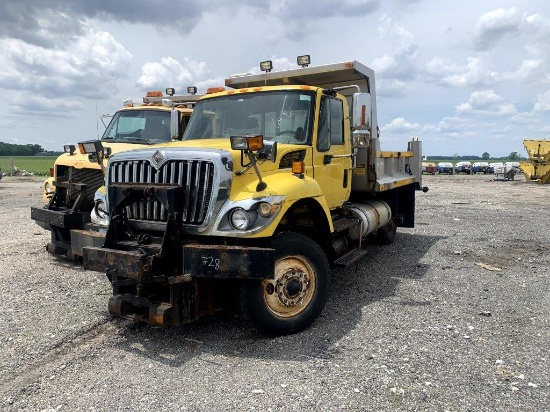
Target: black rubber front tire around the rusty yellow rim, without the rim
253	305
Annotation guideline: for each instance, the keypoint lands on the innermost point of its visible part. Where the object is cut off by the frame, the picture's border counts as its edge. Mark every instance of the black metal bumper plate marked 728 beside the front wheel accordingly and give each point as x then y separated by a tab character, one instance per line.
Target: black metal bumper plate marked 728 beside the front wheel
216	261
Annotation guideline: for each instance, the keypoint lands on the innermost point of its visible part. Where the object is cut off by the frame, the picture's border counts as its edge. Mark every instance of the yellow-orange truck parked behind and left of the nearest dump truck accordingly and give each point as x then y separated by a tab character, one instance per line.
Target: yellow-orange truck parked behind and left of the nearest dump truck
69	193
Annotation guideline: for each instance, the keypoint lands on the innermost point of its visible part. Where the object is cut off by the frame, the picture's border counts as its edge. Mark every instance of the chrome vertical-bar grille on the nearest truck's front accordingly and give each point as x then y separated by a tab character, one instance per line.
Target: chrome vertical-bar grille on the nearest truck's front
196	176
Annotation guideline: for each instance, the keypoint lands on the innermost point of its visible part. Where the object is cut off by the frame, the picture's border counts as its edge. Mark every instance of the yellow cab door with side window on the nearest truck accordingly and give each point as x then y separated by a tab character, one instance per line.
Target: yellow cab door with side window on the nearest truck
331	155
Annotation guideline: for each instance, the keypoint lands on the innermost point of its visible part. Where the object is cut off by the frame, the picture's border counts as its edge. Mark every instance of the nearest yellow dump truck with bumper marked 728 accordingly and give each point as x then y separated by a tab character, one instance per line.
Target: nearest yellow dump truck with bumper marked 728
276	180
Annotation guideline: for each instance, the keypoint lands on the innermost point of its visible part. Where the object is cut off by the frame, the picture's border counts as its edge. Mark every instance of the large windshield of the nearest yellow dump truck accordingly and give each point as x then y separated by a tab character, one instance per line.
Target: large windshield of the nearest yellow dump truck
281	116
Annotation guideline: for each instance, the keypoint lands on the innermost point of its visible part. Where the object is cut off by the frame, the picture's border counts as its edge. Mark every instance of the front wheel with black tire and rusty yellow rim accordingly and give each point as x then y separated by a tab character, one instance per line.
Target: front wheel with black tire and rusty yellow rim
295	298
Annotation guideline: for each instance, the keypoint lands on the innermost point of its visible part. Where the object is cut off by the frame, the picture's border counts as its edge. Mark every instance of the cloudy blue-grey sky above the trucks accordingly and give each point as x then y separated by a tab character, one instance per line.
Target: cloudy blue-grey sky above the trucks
464	77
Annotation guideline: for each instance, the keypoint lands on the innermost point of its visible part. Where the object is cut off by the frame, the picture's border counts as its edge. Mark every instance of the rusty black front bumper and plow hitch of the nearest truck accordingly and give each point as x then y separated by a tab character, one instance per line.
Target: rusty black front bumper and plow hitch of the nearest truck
187	282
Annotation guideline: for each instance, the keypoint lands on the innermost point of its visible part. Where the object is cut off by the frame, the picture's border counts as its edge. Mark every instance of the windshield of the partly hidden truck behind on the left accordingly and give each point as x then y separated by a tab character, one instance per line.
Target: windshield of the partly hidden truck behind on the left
139	126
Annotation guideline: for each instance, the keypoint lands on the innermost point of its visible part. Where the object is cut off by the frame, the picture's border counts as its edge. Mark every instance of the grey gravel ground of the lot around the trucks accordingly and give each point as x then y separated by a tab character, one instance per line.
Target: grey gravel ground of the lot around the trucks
425	324
